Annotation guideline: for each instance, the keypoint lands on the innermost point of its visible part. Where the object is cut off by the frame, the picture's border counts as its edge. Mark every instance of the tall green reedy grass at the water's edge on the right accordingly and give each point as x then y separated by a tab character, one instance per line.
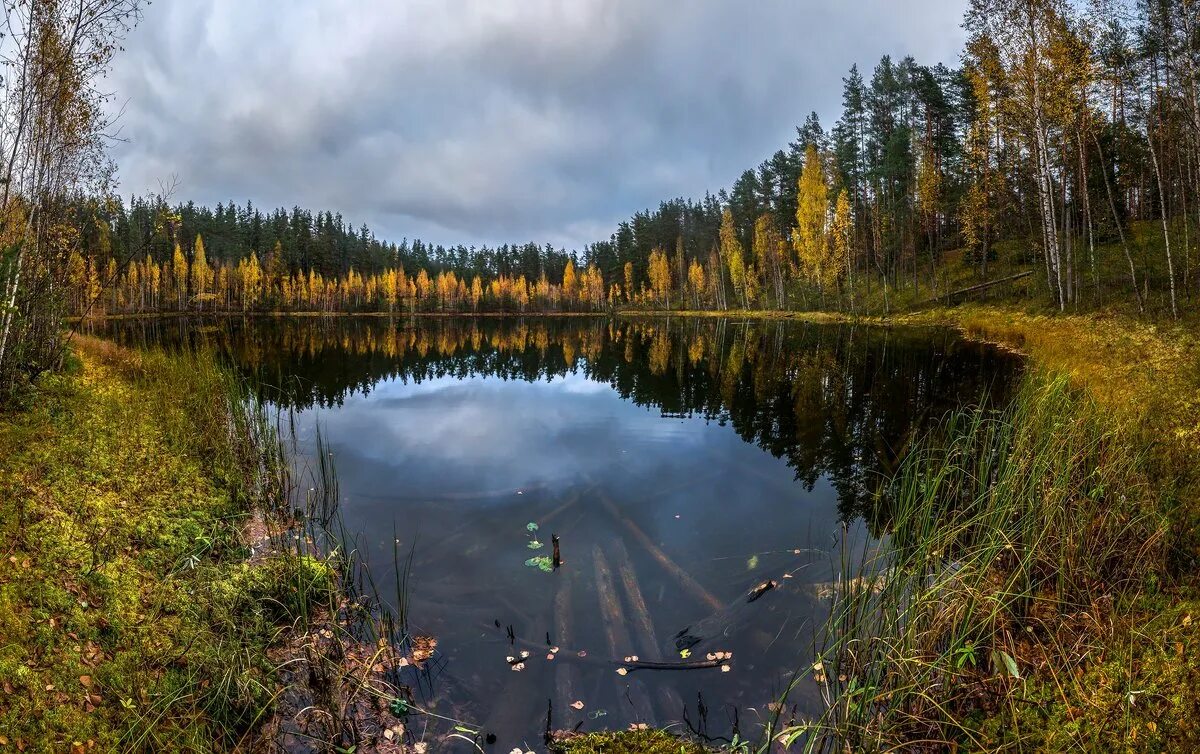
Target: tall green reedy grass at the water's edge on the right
1011	534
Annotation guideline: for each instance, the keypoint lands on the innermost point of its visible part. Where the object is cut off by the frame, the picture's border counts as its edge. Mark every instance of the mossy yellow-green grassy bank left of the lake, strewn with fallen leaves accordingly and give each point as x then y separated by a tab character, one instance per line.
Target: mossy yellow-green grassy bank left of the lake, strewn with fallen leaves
130	619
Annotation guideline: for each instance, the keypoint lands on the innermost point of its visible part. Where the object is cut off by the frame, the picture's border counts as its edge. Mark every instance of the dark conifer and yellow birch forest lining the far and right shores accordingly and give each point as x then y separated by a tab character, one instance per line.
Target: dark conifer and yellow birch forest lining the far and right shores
1065	141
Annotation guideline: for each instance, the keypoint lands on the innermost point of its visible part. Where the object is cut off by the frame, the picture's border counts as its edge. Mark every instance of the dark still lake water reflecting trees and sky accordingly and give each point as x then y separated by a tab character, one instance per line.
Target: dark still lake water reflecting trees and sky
682	464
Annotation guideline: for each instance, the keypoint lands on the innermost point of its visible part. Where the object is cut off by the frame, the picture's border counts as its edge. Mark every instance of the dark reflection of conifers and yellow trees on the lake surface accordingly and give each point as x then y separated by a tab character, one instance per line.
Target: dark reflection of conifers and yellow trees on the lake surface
833	400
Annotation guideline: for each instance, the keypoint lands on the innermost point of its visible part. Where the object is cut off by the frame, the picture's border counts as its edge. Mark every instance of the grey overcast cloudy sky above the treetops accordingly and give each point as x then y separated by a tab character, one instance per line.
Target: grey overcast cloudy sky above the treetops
489	121
